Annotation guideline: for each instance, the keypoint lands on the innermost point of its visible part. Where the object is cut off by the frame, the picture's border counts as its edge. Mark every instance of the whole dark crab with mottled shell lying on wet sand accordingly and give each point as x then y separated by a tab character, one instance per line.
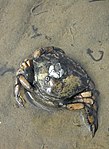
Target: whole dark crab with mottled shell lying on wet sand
52	79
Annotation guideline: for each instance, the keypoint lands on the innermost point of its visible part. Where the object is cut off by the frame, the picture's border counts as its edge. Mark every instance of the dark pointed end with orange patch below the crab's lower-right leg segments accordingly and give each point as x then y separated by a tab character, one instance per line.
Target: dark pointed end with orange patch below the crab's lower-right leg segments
92	117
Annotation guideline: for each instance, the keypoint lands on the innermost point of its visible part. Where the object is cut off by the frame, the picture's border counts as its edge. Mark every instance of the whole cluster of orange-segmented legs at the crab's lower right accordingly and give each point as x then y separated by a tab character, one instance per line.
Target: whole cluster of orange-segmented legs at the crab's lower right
87	102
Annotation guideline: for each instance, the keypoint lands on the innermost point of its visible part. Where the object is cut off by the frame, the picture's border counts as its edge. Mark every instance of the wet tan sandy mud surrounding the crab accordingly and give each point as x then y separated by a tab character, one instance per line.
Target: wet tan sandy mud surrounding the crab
74	26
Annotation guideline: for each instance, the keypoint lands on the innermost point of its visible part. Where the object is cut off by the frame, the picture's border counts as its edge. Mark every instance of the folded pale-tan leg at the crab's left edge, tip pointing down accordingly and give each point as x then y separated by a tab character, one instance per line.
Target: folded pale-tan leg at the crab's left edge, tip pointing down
22	82
